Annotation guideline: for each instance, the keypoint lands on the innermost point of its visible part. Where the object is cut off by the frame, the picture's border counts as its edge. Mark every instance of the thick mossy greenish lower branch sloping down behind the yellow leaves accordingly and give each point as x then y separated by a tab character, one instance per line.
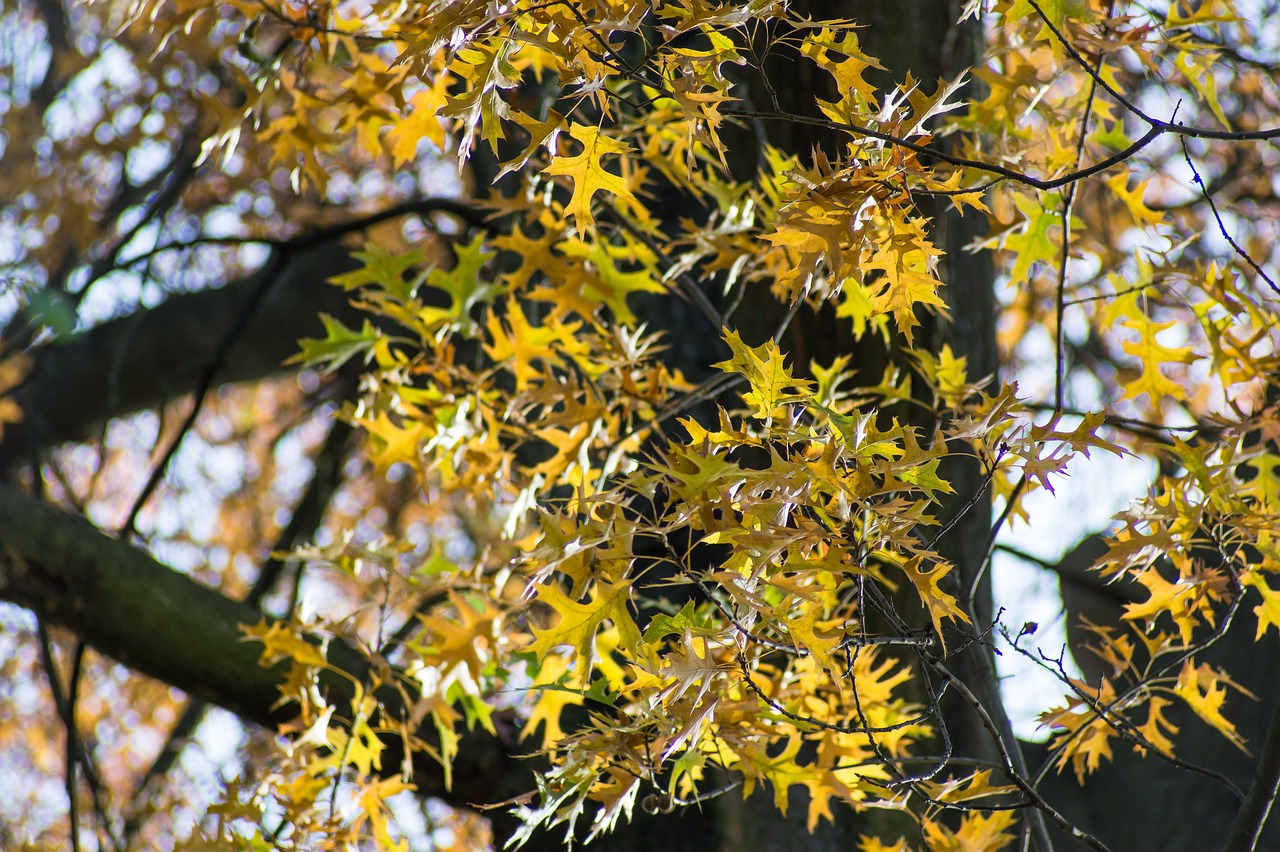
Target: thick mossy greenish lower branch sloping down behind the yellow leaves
164	625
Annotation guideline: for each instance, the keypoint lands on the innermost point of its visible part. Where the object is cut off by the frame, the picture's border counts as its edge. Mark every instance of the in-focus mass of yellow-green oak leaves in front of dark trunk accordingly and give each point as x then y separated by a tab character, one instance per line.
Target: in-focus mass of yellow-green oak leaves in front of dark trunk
740	569
